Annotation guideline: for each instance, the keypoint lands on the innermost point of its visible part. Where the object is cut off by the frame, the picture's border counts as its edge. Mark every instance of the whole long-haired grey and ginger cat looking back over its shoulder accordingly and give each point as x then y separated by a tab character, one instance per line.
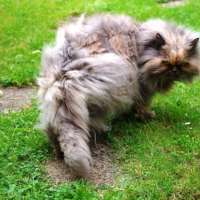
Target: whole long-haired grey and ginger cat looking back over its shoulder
105	64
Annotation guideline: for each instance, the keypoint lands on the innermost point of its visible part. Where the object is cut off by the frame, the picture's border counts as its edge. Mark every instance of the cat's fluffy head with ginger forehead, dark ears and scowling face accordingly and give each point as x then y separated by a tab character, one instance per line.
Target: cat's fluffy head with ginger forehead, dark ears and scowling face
167	52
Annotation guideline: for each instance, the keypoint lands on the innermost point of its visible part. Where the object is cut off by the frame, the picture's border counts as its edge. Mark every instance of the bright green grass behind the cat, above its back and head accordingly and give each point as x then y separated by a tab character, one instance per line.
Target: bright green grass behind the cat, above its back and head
28	25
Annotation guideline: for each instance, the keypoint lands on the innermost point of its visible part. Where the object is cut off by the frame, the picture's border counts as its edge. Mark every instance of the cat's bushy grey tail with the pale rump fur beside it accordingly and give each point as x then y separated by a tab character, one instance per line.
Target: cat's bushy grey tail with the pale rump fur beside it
63	107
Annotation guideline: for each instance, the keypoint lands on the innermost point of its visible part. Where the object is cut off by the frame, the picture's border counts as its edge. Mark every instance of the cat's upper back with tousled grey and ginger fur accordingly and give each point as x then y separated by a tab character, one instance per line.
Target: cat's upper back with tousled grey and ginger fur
97	34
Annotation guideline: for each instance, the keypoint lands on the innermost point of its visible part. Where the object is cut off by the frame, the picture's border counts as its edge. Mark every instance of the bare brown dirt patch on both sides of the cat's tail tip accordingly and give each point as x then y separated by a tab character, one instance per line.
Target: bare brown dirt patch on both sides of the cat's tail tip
102	170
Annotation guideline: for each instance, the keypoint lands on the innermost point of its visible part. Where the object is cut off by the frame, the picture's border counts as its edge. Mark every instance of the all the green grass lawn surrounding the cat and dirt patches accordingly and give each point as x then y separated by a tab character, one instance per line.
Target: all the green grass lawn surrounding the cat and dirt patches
159	159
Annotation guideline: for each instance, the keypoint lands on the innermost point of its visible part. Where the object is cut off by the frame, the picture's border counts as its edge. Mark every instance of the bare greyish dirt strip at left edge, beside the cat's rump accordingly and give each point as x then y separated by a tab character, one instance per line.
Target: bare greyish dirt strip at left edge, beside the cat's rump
14	98
